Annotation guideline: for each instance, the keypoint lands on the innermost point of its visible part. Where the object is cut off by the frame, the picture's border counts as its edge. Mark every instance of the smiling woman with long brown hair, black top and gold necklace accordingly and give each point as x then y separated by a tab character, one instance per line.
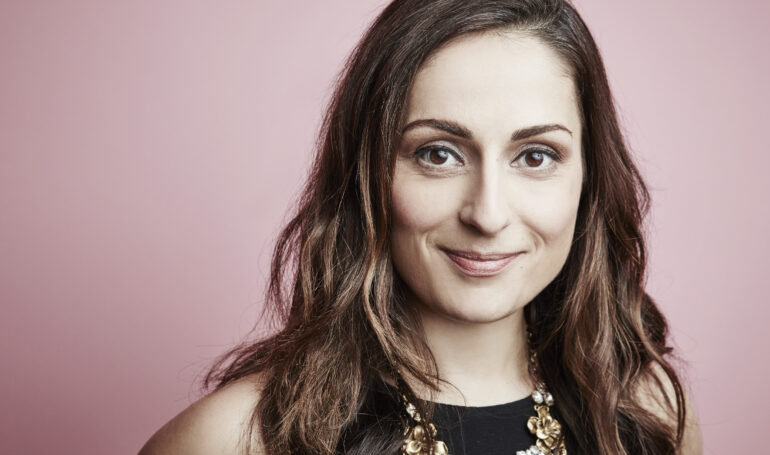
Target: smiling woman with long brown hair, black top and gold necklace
468	245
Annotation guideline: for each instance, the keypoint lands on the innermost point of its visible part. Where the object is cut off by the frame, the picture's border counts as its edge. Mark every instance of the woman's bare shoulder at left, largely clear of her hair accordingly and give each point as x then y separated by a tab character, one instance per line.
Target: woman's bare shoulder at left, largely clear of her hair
216	424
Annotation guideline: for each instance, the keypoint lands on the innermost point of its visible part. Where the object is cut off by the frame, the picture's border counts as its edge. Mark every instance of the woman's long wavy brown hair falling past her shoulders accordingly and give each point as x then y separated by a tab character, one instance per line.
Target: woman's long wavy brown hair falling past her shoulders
343	324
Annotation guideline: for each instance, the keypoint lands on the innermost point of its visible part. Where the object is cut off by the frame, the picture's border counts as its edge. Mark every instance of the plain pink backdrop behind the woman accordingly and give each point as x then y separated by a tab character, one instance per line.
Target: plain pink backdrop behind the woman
149	151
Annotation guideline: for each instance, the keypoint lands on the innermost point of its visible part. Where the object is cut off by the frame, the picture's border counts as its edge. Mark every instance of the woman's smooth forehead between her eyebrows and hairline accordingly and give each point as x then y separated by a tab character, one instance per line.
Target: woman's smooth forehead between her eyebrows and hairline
495	79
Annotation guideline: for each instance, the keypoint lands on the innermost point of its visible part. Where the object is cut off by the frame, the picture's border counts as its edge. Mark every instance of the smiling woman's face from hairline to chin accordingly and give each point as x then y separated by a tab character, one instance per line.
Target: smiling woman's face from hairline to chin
487	178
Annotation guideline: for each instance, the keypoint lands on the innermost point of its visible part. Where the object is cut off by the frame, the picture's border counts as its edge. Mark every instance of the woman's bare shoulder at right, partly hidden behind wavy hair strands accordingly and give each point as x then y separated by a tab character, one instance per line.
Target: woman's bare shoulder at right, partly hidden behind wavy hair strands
650	397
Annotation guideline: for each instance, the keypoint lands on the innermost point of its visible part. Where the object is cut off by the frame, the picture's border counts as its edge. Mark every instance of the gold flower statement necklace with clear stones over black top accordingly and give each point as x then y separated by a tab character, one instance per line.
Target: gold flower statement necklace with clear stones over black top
544	426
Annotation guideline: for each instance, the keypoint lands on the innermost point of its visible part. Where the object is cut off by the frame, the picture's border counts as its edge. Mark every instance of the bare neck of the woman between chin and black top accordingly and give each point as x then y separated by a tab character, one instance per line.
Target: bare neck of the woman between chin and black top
480	364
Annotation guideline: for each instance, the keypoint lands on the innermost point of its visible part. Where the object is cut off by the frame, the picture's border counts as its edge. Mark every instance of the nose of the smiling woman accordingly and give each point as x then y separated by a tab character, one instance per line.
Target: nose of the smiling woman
486	207
